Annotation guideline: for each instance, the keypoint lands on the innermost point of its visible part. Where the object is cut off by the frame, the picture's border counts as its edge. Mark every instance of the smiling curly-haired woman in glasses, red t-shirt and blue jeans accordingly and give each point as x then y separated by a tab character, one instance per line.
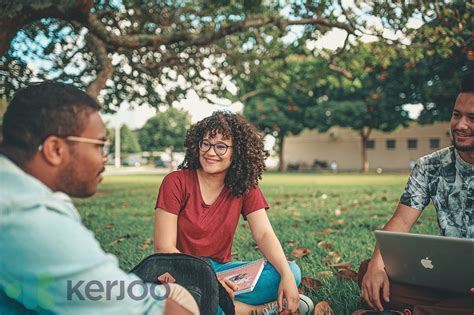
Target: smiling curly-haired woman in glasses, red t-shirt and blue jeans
198	208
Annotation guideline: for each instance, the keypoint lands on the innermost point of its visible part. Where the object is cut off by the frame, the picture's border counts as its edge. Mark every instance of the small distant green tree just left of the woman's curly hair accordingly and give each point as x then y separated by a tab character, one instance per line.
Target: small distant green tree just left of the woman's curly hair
165	131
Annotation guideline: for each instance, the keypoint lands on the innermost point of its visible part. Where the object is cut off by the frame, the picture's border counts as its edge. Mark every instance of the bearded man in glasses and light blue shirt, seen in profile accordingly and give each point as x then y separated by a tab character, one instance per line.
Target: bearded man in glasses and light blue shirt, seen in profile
53	148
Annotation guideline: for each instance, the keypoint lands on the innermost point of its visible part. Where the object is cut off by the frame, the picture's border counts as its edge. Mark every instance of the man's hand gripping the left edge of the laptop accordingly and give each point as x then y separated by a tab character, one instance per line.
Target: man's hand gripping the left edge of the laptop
374	281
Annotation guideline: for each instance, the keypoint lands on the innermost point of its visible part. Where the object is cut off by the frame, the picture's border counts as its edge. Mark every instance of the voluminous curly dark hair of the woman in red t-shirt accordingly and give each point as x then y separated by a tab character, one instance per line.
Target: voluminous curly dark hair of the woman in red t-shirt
248	154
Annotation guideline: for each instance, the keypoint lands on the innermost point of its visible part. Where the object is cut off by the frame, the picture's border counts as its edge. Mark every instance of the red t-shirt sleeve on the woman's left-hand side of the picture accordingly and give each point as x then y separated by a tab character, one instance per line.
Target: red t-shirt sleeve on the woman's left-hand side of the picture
171	196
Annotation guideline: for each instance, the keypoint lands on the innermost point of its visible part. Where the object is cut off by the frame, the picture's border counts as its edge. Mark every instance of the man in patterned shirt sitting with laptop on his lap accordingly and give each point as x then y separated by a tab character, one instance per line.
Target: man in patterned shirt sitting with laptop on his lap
445	177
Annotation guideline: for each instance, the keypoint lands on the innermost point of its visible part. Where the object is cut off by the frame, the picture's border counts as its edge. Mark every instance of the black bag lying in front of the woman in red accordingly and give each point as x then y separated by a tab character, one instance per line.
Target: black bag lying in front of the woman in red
193	273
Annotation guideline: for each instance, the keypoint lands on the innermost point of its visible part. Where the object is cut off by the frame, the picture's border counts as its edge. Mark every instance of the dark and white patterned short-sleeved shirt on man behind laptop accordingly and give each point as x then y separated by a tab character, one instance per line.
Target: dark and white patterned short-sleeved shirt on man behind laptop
446	179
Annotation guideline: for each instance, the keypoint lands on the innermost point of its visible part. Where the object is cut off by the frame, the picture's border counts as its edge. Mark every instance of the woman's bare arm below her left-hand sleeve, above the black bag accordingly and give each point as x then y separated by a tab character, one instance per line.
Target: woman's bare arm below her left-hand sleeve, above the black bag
165	232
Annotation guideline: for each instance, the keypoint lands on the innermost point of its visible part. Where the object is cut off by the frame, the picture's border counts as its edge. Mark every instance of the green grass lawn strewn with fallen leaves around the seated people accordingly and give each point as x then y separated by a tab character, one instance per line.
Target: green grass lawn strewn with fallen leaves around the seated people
302	209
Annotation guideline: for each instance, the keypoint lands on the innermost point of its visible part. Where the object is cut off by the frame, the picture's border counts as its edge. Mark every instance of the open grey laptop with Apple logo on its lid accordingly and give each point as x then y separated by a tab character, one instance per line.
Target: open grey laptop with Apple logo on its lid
427	260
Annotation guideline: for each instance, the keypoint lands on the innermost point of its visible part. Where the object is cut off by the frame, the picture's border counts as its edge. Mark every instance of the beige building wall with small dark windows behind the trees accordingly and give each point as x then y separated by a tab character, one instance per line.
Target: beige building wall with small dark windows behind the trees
344	146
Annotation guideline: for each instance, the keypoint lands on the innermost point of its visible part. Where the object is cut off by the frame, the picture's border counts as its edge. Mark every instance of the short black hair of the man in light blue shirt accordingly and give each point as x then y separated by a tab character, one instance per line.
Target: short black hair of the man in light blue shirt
42	110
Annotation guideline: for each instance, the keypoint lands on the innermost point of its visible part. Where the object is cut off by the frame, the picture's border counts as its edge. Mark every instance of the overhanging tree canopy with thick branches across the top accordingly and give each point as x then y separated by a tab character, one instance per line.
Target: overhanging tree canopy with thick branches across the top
154	51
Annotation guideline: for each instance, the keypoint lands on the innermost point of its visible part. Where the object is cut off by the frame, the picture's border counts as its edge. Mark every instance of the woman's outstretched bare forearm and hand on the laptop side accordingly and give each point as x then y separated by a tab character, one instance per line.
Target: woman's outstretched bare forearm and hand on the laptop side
270	247
